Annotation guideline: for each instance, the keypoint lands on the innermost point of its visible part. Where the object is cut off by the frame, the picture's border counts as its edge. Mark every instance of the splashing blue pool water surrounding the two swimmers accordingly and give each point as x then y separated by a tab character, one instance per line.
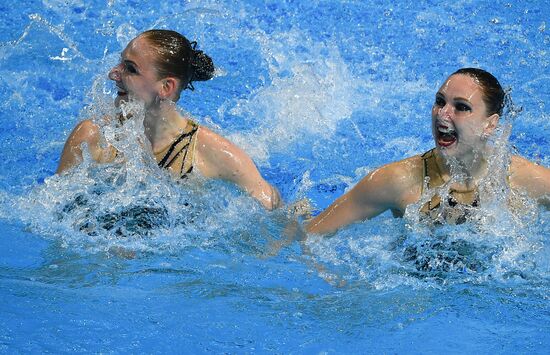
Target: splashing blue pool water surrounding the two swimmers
319	93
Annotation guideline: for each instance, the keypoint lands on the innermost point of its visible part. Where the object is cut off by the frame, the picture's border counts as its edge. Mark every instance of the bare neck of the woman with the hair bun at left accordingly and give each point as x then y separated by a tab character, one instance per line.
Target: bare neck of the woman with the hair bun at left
162	125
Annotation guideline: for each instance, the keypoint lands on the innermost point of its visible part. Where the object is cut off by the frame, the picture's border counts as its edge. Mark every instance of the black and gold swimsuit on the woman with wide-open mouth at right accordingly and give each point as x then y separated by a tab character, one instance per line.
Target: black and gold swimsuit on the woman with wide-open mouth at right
455	209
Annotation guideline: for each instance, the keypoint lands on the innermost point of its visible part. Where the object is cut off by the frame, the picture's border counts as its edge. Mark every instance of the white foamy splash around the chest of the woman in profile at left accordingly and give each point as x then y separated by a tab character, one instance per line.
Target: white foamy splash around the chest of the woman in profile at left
131	206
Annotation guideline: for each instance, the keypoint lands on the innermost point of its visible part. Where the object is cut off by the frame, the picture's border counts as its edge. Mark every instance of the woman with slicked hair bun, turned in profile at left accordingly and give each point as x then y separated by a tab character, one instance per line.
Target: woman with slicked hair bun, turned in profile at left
155	67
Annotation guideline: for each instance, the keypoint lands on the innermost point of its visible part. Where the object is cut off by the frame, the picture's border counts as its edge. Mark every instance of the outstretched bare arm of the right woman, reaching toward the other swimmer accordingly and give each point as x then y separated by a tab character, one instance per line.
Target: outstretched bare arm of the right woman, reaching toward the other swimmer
377	192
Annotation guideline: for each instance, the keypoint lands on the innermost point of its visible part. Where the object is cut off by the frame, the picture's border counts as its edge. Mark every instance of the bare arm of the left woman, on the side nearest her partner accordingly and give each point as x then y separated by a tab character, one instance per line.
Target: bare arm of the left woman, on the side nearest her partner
217	157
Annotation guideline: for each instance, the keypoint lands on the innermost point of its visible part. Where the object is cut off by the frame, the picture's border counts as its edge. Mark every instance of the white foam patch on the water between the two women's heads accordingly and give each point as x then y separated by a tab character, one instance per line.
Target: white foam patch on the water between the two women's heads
310	90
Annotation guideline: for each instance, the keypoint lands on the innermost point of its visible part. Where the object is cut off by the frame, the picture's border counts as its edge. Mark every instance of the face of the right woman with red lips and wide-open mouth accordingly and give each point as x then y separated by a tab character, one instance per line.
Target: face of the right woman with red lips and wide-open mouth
460	124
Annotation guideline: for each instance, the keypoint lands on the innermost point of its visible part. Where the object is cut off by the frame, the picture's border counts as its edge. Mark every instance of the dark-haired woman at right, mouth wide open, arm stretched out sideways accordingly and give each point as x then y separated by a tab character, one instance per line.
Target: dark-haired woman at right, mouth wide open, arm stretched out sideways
465	113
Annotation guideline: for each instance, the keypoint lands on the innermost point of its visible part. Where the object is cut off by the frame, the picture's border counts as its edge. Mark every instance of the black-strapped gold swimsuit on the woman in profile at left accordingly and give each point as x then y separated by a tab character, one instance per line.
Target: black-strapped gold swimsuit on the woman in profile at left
178	157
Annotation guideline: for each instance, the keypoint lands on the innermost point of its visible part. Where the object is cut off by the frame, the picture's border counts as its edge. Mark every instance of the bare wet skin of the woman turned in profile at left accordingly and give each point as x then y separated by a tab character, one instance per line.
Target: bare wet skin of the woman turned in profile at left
136	79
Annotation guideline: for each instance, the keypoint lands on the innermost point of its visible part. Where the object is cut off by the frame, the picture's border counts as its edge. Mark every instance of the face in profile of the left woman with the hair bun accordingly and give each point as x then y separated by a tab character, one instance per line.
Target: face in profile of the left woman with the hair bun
135	76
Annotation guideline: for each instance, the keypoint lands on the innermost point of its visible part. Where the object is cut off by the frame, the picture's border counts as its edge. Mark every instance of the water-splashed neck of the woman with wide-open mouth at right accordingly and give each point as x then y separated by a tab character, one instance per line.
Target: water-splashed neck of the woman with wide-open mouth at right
471	168
